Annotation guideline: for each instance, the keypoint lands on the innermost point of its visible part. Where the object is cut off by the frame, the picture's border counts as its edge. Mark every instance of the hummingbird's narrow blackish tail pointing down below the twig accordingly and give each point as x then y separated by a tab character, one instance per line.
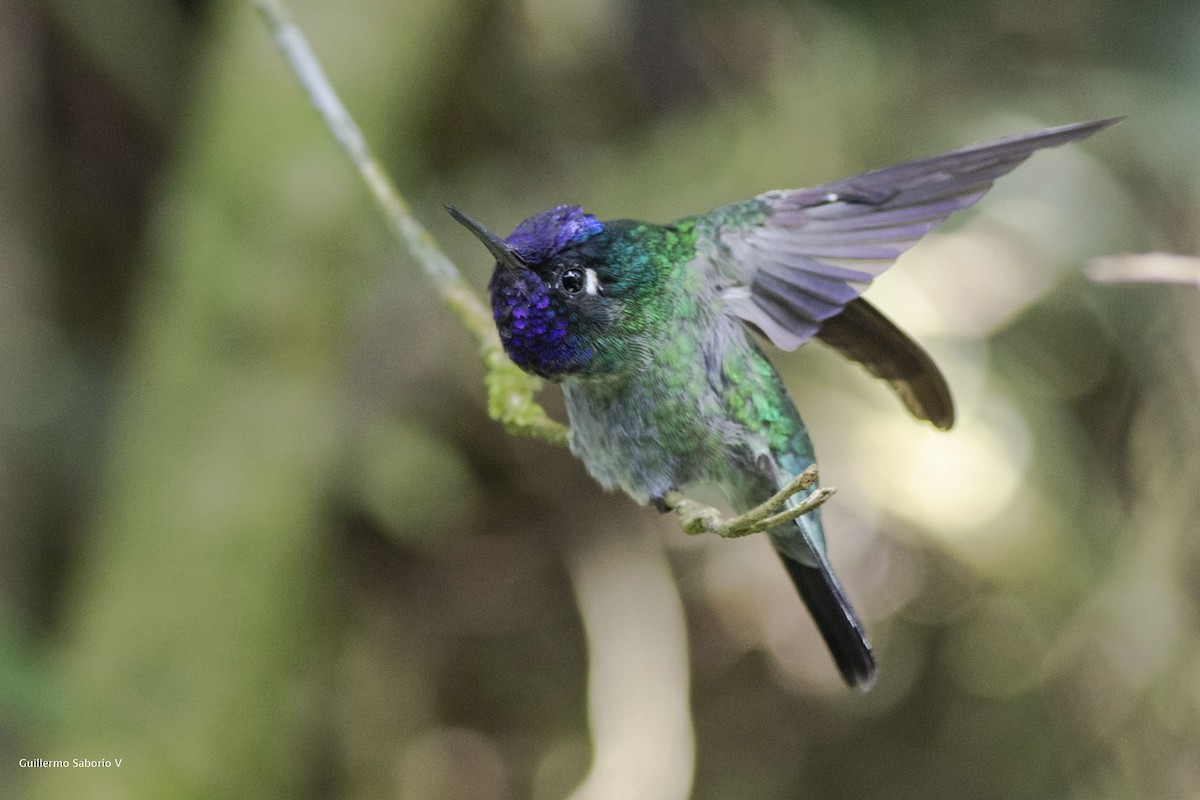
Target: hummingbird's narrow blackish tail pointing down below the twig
837	622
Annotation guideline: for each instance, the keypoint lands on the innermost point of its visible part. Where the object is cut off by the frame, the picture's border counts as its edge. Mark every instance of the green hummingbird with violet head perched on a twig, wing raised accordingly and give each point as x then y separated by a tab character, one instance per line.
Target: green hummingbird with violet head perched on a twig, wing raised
653	333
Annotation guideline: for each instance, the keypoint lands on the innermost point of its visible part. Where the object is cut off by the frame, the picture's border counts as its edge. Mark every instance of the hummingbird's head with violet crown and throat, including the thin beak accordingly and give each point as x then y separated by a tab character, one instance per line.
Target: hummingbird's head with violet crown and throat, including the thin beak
557	296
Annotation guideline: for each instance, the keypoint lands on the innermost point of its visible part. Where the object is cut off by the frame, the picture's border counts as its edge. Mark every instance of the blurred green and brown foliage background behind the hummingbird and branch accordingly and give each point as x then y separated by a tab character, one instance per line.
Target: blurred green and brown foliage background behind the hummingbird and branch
259	538
